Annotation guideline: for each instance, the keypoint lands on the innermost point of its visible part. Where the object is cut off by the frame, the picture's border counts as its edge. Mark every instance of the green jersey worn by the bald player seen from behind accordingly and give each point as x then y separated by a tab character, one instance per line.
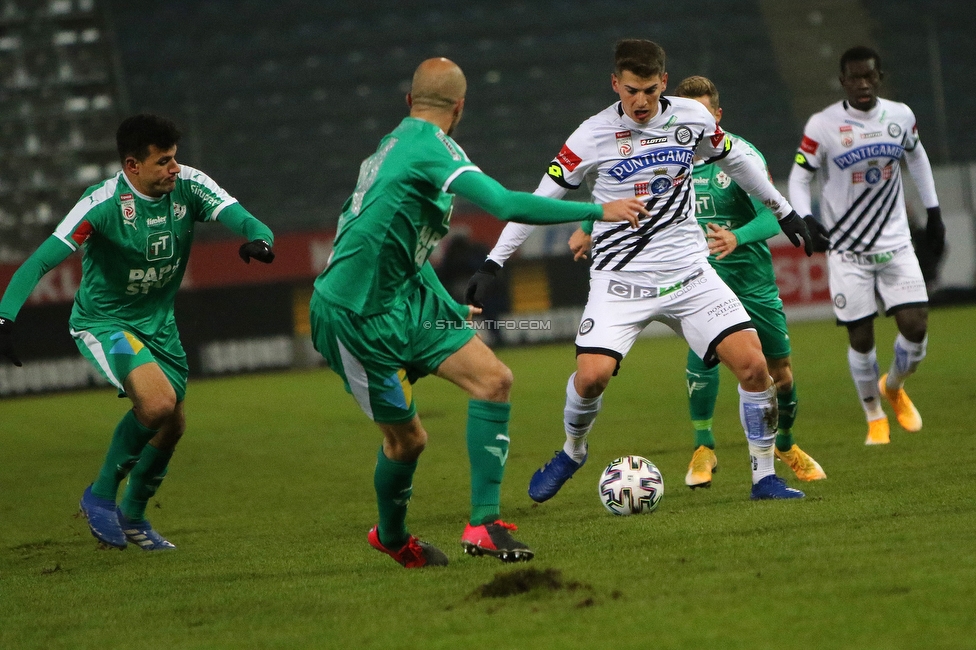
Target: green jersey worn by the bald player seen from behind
397	214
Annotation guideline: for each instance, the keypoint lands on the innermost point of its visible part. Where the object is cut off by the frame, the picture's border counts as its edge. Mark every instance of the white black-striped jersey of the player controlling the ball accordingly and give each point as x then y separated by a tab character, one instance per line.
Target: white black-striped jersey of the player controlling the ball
619	158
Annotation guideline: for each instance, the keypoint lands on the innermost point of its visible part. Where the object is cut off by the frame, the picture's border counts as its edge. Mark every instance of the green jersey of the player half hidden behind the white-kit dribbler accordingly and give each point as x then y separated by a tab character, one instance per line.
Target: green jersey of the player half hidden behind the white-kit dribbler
719	200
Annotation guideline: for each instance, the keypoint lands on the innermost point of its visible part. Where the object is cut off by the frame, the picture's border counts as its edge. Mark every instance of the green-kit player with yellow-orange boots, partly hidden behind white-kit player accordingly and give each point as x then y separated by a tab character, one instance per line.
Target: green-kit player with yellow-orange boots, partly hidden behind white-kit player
737	227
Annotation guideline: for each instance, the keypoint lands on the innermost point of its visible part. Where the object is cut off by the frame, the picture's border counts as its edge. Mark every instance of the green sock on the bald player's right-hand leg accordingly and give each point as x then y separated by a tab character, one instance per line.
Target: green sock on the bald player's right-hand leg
487	451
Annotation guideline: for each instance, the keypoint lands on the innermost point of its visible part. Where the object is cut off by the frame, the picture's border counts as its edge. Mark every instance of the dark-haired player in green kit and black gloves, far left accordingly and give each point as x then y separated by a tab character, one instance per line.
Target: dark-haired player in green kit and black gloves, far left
136	230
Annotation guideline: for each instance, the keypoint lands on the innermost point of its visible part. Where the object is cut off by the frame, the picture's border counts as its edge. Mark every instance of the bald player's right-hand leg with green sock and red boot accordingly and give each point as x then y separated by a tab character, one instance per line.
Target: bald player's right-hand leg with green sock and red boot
488	381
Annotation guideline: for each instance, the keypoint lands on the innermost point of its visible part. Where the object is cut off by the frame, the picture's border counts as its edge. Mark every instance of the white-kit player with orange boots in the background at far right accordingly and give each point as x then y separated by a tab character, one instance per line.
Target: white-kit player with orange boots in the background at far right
855	148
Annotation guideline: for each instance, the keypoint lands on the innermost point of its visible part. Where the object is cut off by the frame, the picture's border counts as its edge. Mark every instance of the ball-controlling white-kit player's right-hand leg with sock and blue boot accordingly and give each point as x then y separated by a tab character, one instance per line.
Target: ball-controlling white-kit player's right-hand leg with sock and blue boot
742	353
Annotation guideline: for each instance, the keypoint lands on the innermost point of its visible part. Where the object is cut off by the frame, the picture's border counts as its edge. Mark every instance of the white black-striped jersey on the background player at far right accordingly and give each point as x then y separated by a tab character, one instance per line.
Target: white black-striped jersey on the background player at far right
857	156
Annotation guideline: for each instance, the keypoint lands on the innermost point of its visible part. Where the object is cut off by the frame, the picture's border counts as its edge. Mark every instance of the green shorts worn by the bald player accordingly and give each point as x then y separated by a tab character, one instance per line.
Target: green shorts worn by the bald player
379	357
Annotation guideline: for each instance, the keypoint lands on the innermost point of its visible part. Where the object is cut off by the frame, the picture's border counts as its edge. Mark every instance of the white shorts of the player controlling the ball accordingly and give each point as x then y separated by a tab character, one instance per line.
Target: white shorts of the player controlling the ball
701	308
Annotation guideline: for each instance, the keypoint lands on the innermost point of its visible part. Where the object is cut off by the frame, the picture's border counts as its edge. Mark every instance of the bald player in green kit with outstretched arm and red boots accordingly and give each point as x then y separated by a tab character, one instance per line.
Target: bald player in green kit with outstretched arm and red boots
382	319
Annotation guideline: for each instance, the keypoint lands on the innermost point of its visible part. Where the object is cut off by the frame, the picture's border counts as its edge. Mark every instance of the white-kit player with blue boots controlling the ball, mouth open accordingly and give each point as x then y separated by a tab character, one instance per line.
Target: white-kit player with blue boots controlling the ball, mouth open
644	145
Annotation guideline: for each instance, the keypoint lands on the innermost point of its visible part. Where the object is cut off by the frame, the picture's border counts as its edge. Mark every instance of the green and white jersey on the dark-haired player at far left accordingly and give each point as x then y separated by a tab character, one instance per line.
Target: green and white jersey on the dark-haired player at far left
136	248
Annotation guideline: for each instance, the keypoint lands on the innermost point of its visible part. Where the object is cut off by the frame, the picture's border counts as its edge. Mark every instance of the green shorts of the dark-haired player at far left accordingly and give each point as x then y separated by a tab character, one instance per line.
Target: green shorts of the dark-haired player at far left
116	352
